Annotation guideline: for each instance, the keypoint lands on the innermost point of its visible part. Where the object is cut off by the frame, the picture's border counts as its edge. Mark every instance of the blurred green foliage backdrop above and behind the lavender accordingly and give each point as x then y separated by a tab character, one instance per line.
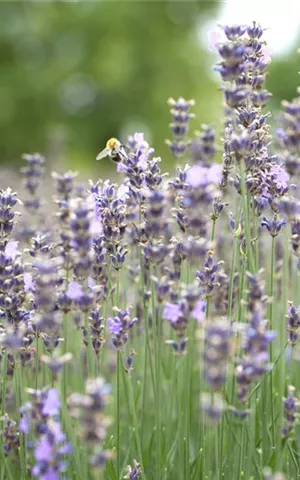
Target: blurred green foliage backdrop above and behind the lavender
74	74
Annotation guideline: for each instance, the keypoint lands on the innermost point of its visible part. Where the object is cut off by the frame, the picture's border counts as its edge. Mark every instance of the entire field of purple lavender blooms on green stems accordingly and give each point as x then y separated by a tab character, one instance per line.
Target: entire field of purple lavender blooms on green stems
150	322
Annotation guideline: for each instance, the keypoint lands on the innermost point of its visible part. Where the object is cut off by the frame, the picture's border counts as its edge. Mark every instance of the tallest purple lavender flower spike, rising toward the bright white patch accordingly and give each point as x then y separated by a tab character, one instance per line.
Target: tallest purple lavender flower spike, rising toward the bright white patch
243	69
